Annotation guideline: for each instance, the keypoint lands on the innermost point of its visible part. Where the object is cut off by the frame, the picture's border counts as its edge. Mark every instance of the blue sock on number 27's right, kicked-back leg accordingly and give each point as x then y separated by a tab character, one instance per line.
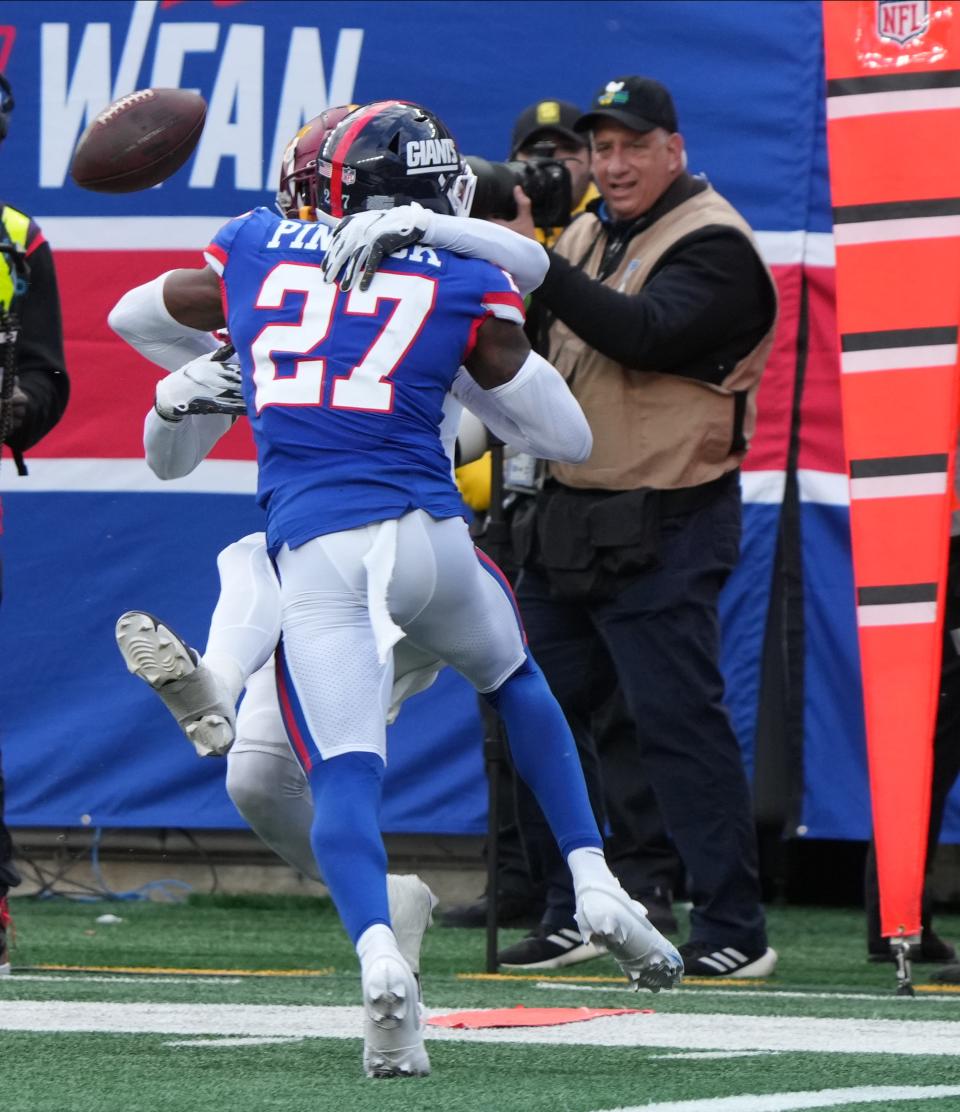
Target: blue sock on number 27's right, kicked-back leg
545	754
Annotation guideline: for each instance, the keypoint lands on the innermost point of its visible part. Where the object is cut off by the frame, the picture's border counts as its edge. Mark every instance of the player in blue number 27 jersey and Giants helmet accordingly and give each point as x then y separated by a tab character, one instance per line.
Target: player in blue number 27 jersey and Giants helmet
345	395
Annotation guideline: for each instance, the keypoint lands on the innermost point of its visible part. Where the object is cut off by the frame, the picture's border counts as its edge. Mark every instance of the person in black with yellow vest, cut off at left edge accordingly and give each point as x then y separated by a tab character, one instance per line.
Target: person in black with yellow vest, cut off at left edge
34	389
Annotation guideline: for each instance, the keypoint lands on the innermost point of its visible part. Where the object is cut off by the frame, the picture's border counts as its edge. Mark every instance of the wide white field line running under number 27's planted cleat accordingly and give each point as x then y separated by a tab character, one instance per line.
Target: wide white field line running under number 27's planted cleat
717	1032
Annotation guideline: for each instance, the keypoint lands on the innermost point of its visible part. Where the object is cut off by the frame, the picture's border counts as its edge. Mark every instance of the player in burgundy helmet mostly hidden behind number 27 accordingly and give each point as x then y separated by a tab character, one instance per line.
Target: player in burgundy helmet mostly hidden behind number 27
196	405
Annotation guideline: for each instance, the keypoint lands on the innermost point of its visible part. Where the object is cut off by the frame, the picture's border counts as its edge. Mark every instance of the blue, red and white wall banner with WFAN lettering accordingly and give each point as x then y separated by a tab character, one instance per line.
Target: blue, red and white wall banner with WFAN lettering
91	533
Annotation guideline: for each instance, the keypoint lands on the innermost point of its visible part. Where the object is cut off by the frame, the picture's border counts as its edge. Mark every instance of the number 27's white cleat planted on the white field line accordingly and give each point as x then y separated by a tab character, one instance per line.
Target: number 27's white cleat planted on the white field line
393	1029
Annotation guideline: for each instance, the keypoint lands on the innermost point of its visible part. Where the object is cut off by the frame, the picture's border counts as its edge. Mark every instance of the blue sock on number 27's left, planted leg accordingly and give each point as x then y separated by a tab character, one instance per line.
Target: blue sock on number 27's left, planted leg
347	838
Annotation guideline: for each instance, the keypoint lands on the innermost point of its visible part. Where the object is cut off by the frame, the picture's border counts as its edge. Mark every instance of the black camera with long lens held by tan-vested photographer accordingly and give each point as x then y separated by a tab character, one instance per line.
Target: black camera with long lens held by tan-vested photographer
546	181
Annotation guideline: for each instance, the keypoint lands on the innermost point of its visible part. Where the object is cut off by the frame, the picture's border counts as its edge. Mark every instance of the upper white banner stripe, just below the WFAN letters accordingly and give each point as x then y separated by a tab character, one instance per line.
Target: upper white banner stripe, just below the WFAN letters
194	233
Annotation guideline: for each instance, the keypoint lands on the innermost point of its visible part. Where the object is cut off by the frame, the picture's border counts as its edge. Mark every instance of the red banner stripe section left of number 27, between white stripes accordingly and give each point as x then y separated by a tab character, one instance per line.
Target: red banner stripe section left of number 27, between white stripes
112	386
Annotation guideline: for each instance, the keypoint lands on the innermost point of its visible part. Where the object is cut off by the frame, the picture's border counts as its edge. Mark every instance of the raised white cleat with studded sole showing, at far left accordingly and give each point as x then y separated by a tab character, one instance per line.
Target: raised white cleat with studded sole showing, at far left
190	690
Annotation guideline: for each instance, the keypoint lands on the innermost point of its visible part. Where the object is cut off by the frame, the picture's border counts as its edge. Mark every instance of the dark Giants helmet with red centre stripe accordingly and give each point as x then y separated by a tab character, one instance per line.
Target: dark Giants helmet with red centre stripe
393	153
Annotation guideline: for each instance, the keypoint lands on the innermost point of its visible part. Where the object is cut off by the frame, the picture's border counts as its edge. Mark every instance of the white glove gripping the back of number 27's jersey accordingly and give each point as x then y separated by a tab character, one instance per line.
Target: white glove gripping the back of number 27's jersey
361	242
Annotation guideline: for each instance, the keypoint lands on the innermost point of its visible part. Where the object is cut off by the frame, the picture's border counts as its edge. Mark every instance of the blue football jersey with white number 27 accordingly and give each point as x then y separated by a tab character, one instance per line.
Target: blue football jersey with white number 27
345	392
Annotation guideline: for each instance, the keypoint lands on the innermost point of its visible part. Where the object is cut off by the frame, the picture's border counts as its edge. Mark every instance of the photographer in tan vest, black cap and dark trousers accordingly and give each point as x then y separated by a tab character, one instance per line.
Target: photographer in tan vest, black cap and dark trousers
661	316
